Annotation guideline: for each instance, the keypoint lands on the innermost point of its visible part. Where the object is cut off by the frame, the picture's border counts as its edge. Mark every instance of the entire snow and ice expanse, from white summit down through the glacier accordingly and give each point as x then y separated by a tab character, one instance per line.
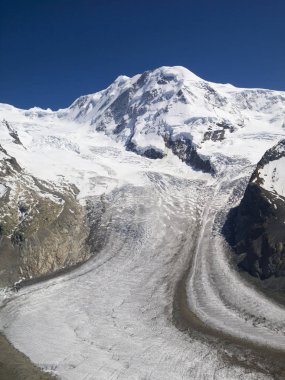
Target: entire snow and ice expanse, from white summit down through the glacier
117	316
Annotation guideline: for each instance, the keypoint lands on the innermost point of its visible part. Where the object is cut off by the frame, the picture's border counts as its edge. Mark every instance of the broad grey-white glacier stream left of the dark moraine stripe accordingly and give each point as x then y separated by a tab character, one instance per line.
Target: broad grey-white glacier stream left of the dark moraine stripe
114	315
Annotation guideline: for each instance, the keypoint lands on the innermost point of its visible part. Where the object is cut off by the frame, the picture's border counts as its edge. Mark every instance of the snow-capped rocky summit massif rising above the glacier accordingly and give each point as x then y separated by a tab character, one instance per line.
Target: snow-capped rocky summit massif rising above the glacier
173	109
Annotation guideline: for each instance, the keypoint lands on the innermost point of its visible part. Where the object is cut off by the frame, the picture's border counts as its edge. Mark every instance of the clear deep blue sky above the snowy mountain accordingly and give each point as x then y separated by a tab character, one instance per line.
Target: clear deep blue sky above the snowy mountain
52	51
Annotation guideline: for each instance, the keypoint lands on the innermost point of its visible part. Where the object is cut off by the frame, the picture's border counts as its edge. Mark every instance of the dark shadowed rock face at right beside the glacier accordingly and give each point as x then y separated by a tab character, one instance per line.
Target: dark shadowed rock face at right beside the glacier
257	225
